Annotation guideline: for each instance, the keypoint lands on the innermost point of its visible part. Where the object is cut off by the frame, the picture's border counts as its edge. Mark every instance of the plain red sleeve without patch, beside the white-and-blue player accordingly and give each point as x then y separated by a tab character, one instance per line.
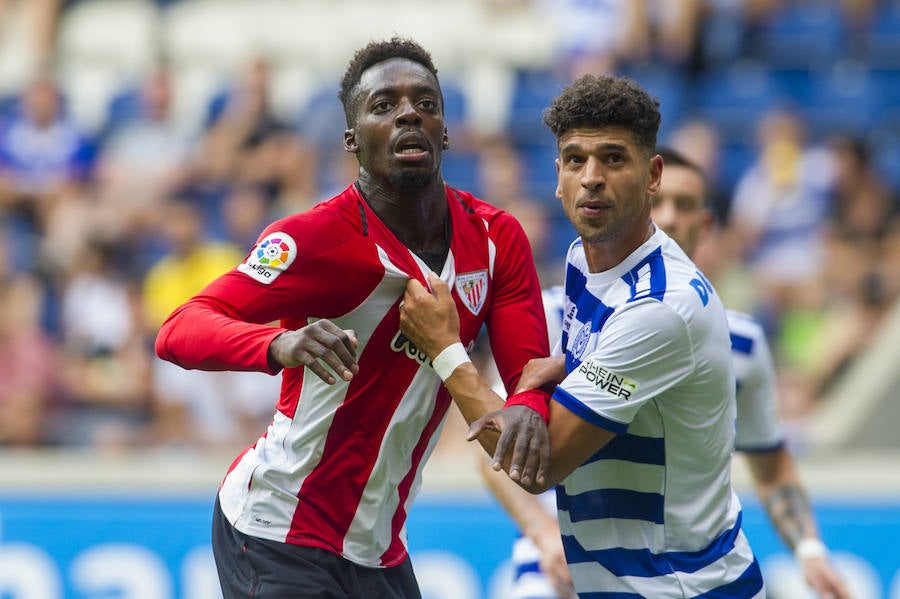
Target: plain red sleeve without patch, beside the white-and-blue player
516	324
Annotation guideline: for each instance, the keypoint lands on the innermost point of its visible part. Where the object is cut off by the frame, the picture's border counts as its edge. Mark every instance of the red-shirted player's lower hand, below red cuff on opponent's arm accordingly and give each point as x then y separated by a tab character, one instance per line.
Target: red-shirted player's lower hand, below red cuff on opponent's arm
523	435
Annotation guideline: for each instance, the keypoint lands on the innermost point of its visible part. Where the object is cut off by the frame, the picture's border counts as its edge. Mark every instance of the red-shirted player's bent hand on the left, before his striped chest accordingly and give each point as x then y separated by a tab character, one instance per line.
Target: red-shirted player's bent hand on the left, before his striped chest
316	346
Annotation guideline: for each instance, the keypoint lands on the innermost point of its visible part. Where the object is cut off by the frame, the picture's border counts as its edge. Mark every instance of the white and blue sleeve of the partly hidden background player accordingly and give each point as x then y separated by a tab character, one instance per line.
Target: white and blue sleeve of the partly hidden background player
758	425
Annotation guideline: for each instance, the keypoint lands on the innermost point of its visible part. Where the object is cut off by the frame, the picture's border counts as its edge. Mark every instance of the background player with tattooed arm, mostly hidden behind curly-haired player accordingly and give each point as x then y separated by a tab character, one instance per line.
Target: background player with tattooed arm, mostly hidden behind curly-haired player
681	209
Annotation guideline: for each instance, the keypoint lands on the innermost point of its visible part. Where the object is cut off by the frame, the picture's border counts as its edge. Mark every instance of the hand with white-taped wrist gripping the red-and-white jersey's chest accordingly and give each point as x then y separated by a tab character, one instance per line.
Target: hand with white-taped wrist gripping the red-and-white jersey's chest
429	318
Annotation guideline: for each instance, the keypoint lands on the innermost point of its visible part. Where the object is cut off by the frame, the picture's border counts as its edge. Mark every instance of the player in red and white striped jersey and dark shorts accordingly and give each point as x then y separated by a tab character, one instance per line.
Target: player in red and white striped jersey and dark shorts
317	506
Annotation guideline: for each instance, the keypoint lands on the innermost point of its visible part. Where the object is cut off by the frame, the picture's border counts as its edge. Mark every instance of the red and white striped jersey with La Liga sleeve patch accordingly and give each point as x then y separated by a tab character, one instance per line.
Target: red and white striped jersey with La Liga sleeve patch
340	465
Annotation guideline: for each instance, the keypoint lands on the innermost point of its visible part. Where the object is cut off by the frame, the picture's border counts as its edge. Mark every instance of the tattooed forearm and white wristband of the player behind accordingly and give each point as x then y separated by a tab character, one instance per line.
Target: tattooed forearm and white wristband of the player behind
778	487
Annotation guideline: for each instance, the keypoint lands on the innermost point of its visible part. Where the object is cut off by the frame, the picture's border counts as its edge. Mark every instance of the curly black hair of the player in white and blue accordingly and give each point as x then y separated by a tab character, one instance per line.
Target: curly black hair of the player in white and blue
594	101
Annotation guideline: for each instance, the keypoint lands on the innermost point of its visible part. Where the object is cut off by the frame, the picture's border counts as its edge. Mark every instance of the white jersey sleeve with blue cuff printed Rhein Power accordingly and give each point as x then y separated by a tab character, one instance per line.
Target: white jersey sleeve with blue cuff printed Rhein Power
645	349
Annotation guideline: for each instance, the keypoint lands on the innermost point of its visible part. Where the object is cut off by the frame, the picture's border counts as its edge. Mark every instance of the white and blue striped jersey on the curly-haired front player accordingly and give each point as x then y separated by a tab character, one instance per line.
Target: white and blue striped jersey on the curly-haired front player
653	513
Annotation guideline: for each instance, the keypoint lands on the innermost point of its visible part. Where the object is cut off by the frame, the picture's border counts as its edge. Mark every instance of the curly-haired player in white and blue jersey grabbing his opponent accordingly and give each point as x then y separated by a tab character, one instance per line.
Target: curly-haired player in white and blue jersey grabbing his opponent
642	414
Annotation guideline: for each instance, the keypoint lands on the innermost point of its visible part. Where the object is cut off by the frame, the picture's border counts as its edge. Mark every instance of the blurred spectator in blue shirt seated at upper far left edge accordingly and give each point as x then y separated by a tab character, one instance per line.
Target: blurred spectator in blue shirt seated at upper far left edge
44	162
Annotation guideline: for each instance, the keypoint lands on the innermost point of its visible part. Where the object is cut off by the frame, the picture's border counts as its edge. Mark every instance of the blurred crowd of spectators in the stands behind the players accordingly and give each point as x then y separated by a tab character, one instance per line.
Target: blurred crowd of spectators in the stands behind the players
105	229
